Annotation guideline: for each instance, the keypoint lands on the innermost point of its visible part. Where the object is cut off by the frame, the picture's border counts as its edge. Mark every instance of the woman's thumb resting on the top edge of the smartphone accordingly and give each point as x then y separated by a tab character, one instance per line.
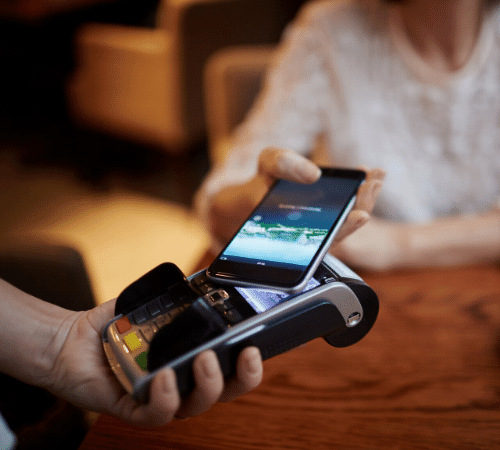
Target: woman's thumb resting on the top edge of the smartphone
279	163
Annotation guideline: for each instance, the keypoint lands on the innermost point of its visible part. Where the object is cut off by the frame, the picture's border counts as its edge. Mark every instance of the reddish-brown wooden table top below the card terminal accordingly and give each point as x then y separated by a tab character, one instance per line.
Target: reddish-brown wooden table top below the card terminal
426	377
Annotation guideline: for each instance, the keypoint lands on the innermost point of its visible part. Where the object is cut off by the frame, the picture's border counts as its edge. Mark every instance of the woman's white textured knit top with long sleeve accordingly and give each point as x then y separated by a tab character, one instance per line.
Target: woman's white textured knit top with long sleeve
347	74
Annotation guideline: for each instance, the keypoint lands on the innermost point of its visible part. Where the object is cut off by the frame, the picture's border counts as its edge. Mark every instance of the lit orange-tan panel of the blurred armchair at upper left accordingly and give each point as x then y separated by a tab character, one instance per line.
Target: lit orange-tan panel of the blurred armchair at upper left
124	85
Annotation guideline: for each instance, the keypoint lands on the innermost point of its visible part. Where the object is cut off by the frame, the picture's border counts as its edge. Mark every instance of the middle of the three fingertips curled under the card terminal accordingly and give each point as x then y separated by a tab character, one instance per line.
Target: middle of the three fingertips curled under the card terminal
209	383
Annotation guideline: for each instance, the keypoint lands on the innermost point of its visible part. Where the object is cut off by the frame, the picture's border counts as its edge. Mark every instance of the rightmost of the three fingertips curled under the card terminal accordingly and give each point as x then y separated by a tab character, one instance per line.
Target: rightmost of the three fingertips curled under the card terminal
249	372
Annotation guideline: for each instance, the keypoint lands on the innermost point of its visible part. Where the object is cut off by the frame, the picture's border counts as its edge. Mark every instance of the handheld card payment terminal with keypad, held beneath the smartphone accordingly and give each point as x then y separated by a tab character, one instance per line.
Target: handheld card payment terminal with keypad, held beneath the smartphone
165	320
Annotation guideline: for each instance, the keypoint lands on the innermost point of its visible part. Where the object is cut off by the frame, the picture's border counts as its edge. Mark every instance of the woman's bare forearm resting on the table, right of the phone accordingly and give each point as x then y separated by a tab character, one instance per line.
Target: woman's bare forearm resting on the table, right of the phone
448	241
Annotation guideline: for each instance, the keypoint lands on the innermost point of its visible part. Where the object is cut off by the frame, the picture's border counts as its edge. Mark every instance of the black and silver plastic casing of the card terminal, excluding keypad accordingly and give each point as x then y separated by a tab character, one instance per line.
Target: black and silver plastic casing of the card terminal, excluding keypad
342	311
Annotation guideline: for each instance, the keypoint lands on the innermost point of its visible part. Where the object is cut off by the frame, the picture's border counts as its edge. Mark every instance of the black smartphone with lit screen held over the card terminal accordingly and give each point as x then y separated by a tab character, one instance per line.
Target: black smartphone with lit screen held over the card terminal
285	238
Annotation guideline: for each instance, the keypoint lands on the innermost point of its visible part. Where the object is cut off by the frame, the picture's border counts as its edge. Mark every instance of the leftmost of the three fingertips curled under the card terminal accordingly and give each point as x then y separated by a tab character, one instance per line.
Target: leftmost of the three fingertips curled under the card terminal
164	401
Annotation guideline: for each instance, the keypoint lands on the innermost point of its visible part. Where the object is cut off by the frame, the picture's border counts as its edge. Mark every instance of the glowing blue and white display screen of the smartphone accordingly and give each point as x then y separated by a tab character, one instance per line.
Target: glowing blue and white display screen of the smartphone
292	222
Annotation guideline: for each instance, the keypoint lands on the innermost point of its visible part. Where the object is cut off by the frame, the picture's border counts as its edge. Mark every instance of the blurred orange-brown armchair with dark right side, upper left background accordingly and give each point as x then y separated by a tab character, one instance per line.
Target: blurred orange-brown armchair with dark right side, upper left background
146	84
